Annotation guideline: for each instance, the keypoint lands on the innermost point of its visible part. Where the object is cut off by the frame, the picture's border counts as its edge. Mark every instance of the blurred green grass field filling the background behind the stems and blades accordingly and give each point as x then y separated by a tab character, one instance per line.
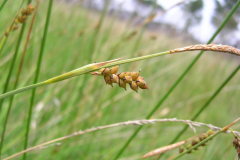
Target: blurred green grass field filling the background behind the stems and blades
85	101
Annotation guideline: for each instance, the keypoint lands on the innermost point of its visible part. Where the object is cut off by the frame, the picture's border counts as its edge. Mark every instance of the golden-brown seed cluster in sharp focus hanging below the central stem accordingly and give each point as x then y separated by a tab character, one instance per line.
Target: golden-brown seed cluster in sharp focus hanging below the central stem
132	78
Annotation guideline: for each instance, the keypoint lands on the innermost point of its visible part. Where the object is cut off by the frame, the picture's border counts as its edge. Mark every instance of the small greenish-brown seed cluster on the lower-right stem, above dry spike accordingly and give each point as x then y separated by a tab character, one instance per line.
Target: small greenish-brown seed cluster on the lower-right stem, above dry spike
196	141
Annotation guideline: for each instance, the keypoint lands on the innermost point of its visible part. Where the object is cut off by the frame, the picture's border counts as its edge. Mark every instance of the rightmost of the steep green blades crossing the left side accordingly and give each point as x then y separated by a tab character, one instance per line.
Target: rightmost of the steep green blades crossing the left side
37	73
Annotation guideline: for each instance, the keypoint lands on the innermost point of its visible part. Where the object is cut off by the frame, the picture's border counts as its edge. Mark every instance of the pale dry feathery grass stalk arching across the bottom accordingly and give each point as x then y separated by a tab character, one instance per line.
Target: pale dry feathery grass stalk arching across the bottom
137	122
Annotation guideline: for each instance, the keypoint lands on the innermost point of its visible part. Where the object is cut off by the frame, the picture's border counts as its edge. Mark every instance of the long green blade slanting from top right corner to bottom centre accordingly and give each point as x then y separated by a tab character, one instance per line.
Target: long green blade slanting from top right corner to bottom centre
178	80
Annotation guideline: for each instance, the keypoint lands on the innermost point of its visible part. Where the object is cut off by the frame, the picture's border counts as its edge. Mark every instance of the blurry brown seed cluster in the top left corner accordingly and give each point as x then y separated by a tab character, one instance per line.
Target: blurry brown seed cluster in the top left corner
22	19
